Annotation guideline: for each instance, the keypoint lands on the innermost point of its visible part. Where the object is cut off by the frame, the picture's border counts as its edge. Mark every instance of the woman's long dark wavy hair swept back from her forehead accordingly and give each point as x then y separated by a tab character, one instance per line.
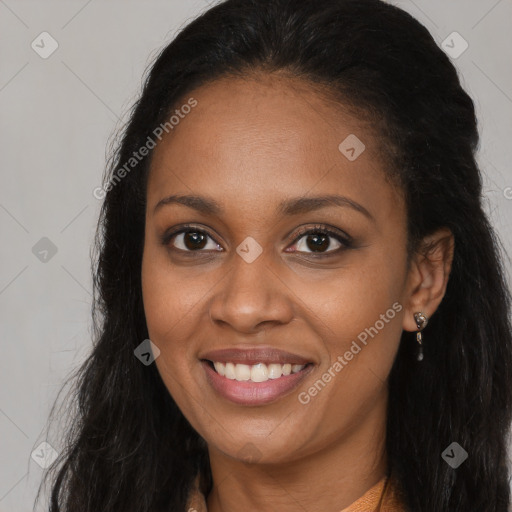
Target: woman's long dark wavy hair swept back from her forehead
129	447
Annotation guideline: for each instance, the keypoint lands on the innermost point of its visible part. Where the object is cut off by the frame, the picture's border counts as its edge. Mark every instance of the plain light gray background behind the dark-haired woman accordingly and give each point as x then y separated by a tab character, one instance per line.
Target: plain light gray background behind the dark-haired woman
57	117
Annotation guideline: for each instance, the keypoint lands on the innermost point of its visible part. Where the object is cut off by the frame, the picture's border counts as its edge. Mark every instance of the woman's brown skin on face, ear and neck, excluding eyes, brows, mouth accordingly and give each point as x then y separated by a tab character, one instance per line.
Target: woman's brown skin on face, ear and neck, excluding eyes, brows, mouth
249	144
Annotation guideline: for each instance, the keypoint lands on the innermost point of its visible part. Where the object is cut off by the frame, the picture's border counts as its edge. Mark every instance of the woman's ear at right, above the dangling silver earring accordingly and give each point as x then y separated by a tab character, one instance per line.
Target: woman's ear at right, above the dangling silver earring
428	276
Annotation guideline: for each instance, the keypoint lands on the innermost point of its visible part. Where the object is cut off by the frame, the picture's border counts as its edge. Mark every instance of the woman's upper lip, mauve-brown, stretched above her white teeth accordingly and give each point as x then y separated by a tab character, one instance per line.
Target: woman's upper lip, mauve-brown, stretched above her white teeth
254	355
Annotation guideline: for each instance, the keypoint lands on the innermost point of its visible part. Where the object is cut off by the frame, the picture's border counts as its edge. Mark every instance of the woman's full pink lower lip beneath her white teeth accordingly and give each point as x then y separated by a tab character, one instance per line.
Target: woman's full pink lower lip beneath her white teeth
254	393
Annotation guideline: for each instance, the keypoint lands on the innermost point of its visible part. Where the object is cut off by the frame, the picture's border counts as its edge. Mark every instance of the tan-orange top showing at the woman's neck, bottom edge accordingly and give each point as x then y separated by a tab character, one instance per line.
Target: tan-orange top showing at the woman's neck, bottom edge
382	497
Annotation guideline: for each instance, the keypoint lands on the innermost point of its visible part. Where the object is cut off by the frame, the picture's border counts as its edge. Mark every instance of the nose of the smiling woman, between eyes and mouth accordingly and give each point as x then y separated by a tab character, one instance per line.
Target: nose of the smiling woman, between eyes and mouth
251	296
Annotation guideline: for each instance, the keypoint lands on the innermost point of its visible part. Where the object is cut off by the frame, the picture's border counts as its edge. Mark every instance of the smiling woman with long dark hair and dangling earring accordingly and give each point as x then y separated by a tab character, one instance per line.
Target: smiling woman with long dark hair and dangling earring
294	219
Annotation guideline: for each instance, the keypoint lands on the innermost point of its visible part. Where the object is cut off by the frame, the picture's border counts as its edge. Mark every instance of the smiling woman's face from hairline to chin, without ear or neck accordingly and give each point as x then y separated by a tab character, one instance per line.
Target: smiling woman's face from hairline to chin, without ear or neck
266	152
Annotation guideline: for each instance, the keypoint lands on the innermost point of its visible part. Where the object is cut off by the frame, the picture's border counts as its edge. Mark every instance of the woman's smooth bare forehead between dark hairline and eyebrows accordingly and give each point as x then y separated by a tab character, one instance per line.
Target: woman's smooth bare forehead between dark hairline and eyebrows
257	140
